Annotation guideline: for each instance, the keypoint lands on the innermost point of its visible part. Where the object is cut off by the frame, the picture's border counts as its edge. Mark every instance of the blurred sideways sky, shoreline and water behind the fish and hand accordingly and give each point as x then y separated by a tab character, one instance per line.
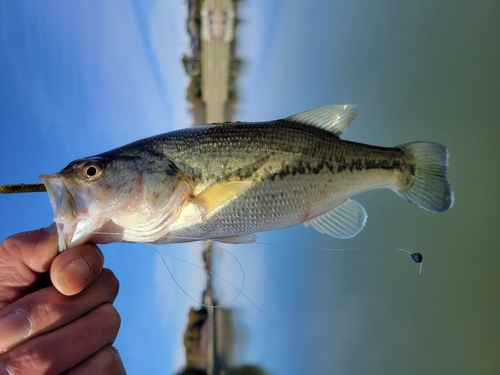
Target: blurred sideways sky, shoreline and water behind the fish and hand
79	78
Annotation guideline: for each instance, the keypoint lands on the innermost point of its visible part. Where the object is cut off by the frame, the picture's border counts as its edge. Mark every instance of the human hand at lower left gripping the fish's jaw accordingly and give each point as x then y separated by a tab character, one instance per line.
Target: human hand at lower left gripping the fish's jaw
64	326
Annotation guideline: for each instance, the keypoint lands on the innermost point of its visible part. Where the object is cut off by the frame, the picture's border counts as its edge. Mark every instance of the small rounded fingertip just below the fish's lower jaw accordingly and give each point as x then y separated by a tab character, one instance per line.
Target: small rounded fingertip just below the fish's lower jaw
76	268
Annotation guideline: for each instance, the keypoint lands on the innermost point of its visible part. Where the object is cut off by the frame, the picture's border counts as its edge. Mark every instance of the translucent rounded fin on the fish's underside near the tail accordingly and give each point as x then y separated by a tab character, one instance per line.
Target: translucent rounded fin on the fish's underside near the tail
344	221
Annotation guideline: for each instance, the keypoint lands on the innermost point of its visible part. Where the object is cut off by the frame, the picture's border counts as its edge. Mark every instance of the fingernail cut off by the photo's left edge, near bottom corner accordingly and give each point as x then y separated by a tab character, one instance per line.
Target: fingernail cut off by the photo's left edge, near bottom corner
14	327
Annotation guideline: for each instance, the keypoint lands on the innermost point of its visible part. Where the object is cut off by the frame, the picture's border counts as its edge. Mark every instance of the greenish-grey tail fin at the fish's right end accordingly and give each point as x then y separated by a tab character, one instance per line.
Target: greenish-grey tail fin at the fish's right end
428	188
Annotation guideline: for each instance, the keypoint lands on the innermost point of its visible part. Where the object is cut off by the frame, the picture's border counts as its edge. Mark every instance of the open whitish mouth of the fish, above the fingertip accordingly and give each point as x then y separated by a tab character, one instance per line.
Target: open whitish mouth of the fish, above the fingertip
71	214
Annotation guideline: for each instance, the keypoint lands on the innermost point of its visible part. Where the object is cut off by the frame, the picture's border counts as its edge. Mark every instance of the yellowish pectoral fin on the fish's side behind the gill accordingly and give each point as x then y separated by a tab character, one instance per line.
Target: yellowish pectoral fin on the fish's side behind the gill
220	193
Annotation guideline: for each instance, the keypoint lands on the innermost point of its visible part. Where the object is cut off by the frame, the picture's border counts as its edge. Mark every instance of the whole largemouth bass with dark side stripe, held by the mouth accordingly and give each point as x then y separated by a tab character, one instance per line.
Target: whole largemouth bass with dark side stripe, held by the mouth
228	181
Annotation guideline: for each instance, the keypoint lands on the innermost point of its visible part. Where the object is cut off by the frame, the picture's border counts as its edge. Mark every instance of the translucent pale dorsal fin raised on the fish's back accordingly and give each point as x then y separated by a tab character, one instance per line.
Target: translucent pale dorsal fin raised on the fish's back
334	118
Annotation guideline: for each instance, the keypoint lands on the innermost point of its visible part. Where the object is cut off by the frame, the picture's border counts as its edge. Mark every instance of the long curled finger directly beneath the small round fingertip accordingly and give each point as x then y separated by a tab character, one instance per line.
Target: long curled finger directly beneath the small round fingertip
47	310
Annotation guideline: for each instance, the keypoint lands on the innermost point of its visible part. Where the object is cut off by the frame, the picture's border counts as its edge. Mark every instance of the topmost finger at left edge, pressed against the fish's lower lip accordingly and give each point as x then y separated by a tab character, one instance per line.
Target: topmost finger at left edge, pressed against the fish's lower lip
23	257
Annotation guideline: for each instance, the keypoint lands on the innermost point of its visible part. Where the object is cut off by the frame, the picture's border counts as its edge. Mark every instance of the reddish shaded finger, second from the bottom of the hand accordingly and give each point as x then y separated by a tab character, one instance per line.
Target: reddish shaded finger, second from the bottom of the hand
63	349
